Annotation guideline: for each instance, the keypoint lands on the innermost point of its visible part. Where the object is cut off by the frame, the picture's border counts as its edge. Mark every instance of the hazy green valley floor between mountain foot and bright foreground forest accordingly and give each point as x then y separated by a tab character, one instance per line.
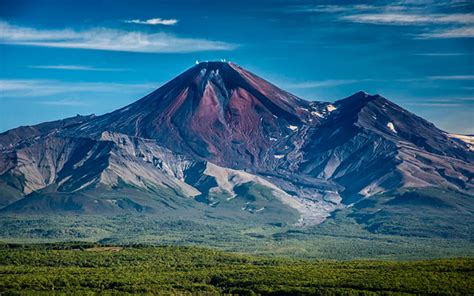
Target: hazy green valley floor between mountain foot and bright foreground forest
336	239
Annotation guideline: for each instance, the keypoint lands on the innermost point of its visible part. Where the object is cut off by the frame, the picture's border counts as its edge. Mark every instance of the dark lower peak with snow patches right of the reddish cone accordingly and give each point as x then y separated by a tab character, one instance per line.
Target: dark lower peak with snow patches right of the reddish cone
369	144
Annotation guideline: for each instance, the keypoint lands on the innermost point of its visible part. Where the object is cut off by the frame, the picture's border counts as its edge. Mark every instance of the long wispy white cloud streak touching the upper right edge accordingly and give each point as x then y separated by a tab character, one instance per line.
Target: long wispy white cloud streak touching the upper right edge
410	18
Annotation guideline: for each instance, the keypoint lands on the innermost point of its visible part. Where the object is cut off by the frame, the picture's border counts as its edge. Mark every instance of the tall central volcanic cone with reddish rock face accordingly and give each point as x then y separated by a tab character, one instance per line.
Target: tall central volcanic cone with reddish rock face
215	111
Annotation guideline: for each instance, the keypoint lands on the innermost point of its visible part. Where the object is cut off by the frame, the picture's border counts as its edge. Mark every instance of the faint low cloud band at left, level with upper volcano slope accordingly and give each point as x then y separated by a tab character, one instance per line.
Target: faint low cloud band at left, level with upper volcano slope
40	87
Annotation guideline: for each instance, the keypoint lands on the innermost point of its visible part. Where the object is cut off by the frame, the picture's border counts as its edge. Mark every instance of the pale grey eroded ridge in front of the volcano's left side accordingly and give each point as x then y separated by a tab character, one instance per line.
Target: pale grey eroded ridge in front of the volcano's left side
119	174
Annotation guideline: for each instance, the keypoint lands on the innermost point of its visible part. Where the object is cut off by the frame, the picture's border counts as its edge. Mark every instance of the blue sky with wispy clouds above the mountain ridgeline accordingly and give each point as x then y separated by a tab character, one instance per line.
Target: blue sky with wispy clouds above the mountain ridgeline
62	58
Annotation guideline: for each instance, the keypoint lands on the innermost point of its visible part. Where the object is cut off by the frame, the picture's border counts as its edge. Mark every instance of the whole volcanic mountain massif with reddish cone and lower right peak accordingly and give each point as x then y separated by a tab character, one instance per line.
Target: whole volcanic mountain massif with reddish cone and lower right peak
218	140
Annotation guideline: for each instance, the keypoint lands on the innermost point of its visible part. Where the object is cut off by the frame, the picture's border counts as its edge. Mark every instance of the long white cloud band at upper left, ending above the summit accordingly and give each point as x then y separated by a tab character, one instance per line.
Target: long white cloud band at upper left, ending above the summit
107	39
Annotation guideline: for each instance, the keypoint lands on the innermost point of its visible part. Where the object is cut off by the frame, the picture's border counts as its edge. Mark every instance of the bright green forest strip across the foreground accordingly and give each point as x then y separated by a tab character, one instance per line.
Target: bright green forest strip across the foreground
87	268
